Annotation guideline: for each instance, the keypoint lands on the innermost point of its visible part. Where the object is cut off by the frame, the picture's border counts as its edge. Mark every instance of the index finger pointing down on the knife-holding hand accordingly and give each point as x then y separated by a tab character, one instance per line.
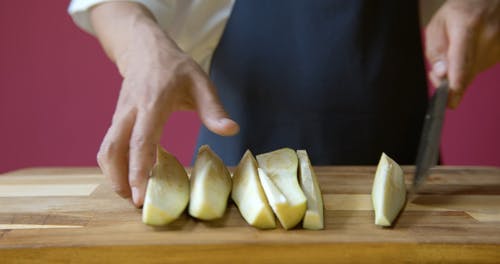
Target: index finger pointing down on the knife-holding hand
460	55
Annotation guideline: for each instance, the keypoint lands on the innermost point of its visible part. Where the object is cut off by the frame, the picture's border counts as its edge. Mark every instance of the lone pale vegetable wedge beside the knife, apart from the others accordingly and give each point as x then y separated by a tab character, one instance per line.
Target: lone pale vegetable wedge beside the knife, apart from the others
389	191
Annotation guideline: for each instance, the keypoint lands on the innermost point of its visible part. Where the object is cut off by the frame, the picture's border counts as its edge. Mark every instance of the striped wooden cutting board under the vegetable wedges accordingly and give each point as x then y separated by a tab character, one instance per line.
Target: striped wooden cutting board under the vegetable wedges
61	215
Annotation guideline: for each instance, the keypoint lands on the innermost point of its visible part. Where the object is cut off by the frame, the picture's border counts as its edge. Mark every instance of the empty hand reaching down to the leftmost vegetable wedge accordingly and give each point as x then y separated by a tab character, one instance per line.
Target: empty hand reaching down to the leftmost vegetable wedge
158	80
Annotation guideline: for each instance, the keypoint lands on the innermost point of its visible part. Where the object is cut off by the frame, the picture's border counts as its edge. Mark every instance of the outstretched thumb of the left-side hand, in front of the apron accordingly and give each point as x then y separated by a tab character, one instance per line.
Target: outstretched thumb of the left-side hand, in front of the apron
210	109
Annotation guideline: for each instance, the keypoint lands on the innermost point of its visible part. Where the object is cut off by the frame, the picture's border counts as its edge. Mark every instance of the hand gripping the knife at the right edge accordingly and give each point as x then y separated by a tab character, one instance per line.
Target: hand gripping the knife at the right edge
462	40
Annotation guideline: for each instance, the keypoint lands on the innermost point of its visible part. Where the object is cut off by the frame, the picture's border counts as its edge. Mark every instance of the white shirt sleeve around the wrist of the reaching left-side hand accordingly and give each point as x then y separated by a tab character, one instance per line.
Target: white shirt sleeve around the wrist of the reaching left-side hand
195	25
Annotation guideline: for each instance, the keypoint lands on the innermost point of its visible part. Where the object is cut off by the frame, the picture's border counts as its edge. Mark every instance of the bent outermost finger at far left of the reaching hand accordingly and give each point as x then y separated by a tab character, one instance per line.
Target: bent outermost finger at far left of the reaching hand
113	153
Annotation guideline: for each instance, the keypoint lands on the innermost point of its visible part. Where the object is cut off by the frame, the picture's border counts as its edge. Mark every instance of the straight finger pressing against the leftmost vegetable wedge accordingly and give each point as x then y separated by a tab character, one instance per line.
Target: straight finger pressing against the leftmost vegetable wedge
145	136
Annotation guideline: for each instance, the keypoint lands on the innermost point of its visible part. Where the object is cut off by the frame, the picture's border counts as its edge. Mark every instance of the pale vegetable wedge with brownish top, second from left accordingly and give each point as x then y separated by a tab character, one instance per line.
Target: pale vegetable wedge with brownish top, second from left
210	186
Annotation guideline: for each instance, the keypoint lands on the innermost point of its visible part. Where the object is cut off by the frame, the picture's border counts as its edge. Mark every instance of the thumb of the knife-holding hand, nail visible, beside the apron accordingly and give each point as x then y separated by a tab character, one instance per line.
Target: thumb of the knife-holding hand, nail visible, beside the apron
436	49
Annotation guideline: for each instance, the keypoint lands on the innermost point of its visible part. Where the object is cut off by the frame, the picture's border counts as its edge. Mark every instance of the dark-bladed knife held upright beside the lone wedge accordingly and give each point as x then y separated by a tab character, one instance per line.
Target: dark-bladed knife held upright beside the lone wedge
428	149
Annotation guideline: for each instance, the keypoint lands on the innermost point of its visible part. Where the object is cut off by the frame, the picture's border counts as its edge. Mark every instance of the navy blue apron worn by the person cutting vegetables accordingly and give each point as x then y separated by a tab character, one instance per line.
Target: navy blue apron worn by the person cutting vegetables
342	79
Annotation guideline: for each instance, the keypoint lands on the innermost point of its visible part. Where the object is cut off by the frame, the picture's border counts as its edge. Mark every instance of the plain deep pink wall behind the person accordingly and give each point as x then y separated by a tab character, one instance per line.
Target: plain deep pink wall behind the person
58	91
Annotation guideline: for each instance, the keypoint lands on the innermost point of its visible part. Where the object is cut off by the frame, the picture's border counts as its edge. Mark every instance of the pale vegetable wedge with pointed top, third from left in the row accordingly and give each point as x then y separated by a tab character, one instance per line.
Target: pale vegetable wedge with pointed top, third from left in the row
249	196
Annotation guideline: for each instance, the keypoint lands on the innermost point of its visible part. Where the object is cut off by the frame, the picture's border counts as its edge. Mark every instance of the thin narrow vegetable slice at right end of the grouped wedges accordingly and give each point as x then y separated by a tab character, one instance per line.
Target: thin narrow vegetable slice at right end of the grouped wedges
313	219
